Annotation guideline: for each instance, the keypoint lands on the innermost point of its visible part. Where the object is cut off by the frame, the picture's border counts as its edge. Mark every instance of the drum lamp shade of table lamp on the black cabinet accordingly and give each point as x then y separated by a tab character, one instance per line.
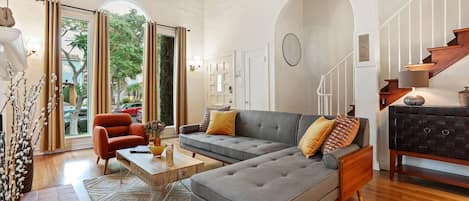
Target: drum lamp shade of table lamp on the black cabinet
409	79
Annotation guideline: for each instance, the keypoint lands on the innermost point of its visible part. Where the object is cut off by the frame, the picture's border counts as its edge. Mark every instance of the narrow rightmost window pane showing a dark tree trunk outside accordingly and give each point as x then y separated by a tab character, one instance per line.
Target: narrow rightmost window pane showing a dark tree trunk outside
166	79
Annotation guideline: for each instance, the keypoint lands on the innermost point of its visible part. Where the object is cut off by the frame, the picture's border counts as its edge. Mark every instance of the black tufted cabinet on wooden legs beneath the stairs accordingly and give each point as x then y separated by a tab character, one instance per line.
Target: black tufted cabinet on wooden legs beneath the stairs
436	133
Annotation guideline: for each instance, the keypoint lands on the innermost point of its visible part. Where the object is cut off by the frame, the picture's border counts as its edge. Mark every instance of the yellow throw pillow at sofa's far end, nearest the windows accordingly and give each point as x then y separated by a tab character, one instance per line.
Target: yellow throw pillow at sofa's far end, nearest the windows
222	123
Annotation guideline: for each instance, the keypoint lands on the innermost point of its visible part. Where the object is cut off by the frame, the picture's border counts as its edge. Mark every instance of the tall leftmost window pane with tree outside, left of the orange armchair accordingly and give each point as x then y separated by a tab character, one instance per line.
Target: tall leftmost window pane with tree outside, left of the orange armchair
75	75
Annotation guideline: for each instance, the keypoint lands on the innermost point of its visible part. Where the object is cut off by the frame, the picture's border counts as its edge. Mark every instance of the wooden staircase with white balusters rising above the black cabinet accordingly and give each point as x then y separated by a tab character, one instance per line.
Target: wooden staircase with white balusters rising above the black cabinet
440	58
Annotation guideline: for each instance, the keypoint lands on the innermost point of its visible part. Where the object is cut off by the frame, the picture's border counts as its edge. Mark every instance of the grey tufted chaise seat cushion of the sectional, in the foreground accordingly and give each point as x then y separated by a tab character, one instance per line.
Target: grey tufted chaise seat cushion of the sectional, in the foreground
282	175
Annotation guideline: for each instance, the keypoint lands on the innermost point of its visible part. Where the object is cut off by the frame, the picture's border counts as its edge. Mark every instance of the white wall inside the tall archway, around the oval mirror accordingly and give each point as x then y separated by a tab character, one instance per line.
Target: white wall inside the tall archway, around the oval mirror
325	30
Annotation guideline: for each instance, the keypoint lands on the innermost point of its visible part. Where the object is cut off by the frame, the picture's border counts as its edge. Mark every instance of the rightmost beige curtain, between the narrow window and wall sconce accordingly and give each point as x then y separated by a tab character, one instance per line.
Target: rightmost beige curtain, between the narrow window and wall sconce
181	88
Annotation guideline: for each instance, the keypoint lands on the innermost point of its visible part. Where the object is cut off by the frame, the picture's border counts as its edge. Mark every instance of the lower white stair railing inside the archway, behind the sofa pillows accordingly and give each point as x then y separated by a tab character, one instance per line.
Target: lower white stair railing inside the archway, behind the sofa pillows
334	89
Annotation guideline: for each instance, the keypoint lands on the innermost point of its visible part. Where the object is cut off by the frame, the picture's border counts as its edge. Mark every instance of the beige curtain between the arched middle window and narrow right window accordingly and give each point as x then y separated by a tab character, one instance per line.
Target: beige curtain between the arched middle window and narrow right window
150	101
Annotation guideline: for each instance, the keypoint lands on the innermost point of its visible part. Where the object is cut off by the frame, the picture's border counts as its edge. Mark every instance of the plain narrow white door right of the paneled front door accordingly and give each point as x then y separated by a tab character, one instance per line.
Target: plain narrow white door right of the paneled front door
256	80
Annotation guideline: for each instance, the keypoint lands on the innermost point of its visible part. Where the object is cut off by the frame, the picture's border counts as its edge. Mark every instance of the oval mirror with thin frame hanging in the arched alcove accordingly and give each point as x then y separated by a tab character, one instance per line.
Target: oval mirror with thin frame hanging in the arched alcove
291	48
